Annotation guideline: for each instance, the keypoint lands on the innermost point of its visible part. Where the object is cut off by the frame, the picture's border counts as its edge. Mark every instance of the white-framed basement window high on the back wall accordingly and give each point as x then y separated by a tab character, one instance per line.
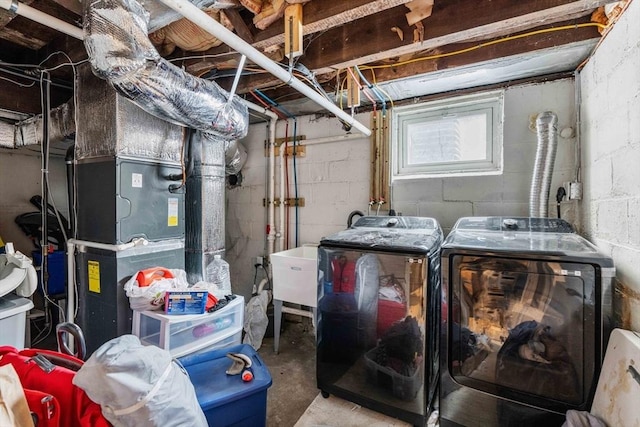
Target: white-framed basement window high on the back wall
452	137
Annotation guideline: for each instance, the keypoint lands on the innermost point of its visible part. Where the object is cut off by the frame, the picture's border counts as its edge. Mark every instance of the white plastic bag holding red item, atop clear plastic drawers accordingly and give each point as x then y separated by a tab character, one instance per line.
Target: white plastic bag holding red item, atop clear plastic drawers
151	297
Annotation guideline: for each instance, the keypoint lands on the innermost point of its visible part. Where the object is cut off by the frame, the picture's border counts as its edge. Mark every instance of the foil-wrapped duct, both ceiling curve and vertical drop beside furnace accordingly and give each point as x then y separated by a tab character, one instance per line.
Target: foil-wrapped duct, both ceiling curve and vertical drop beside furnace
120	52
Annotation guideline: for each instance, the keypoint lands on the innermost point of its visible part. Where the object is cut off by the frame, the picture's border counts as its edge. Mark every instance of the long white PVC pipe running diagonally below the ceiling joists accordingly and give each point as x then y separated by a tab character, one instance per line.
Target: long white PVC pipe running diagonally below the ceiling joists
200	18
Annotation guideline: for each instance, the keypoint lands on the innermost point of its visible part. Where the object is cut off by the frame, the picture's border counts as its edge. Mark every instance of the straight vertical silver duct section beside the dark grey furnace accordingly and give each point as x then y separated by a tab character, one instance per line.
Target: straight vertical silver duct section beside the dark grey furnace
205	213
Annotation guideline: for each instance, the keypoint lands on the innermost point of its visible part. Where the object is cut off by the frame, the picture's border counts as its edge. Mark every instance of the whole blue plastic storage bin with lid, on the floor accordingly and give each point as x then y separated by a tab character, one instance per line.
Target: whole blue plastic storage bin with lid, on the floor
225	399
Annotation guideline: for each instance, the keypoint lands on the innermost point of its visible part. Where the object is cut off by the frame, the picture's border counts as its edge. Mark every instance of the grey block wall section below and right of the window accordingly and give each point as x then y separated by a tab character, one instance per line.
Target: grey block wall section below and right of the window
450	198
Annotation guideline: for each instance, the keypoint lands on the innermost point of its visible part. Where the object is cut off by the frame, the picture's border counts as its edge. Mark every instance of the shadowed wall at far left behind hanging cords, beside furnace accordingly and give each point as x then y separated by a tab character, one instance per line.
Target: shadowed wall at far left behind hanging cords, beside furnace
20	178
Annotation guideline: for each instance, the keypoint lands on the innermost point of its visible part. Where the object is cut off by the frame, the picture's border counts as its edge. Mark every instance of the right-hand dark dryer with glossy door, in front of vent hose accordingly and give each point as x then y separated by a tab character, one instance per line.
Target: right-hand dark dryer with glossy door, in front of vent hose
525	317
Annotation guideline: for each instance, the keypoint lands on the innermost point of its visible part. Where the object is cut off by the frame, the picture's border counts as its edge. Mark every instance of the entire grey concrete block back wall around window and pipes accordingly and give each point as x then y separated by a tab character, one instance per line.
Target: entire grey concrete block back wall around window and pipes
333	178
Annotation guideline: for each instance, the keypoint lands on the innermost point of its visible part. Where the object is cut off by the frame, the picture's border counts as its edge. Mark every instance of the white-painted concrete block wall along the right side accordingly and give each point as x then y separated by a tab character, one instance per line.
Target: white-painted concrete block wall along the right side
610	140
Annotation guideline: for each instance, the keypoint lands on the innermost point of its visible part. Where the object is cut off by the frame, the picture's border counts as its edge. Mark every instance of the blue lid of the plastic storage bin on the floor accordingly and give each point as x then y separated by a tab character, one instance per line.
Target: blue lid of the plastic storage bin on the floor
213	386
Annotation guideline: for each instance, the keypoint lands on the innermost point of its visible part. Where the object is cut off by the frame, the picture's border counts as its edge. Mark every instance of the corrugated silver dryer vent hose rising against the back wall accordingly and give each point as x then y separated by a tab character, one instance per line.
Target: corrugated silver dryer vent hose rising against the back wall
546	127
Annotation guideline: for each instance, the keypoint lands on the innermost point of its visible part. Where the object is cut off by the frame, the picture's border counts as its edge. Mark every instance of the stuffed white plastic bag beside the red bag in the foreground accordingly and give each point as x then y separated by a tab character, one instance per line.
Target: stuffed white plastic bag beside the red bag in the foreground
138	385
